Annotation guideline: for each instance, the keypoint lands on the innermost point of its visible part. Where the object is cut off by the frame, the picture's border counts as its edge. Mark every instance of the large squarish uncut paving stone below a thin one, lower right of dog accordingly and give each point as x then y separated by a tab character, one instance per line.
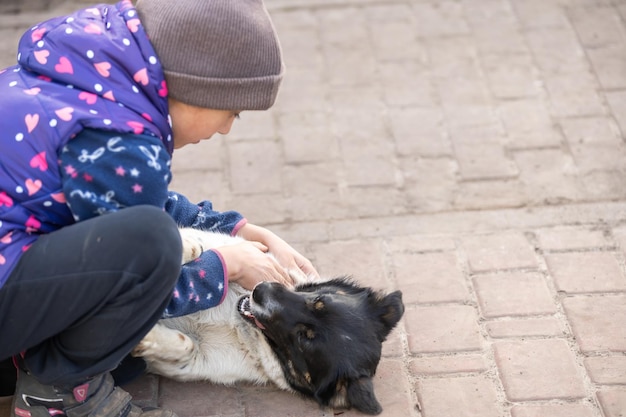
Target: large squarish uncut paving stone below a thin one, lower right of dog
538	370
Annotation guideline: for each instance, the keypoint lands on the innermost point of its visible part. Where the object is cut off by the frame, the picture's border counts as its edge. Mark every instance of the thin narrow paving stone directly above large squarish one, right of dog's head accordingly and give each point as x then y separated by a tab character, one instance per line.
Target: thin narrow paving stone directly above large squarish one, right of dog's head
525	328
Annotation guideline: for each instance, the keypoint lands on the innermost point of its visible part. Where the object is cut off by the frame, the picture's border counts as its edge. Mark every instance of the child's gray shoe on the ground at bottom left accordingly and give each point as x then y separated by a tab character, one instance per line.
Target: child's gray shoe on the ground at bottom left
96	397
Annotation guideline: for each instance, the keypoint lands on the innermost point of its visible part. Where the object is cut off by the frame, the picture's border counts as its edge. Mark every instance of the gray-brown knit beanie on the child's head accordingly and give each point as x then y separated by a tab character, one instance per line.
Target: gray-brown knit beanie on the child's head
218	54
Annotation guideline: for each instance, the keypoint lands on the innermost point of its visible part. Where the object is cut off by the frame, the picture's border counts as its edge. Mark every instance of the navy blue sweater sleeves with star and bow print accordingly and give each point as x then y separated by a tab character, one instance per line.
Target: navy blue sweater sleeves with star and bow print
104	171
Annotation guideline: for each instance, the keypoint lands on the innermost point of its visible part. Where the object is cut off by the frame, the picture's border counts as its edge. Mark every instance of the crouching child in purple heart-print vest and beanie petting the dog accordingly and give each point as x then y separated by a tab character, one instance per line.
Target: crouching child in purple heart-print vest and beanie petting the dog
89	249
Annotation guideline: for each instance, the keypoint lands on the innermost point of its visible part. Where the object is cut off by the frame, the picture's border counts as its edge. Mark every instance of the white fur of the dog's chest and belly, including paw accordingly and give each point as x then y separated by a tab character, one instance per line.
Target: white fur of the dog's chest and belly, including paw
213	344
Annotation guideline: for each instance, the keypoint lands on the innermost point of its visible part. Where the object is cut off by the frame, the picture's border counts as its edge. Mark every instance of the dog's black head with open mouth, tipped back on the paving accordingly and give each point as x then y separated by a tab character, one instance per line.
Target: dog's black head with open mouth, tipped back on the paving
328	337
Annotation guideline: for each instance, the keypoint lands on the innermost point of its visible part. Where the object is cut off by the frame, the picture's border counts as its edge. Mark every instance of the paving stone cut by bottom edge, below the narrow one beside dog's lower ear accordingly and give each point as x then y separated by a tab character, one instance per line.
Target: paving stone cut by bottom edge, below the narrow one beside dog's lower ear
458	397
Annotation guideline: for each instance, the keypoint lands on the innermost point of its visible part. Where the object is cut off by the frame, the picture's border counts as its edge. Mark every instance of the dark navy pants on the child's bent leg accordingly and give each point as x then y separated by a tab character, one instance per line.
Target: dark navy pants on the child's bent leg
82	297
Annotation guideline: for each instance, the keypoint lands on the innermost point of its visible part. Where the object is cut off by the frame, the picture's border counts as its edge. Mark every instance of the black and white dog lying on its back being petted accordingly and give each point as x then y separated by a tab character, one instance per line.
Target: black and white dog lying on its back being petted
322	339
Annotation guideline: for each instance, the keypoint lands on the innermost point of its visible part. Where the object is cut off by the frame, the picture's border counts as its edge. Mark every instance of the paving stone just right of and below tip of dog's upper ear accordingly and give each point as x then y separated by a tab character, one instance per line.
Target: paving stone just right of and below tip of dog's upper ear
440	329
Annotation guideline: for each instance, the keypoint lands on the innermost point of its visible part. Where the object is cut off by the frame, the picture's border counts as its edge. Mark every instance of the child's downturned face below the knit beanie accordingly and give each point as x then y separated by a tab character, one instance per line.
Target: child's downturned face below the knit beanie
191	124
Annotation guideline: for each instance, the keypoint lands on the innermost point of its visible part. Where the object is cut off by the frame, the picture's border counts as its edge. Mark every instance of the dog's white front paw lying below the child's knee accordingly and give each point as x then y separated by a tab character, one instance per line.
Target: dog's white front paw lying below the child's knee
165	344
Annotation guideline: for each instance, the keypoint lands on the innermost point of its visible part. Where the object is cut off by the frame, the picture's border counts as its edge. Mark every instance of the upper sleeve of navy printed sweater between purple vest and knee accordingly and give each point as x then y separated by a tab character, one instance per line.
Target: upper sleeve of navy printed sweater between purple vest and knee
112	181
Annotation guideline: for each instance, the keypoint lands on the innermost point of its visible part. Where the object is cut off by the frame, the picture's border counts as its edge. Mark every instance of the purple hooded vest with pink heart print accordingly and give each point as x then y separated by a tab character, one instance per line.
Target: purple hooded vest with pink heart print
92	69
